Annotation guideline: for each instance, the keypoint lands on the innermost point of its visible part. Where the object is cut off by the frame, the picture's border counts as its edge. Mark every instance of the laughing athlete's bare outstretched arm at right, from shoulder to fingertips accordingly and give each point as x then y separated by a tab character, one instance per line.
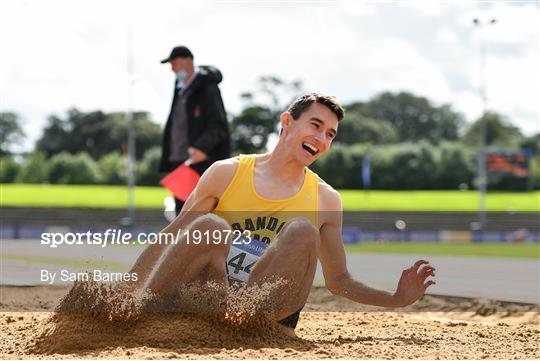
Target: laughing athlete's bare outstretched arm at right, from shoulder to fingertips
339	281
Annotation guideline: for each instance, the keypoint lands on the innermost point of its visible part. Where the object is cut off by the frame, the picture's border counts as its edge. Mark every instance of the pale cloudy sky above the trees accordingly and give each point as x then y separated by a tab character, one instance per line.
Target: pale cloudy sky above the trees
58	54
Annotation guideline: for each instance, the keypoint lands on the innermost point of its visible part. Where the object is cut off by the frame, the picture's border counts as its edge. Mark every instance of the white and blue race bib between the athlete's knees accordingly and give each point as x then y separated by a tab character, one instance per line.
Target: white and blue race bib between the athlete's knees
243	255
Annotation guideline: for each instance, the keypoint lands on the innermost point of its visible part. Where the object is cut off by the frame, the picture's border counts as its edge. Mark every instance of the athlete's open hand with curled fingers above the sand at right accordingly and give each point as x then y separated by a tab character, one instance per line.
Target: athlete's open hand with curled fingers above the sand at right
412	284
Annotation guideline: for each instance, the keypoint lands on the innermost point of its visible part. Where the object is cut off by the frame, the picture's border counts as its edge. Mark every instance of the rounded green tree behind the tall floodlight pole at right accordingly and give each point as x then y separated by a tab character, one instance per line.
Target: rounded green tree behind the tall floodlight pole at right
499	132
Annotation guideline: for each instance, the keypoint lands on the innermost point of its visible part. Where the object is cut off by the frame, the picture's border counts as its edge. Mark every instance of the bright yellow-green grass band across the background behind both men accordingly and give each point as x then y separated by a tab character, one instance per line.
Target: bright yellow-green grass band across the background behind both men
103	196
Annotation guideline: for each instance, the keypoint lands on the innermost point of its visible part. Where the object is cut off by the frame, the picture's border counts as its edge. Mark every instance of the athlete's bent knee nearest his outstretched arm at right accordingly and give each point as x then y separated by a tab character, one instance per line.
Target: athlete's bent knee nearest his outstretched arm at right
300	233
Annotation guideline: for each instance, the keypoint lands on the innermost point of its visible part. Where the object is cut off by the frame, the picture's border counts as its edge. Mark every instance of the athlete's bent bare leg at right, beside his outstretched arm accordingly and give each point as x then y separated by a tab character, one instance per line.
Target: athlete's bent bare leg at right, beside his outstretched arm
293	258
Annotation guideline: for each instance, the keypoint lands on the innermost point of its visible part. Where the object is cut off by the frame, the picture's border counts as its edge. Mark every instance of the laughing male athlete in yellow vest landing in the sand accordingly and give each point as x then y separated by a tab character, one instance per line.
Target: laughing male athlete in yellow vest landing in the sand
262	196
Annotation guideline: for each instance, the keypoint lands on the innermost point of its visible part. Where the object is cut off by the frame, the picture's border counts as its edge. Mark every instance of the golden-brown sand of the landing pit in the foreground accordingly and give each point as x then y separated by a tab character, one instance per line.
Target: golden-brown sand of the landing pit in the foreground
331	327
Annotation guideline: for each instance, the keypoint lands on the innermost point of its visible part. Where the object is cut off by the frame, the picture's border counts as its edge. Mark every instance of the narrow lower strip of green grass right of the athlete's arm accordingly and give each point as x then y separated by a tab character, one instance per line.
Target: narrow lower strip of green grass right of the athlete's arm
472	249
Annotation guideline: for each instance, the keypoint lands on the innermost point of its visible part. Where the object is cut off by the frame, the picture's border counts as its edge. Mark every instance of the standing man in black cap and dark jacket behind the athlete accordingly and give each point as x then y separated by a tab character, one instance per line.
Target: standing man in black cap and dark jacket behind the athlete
197	126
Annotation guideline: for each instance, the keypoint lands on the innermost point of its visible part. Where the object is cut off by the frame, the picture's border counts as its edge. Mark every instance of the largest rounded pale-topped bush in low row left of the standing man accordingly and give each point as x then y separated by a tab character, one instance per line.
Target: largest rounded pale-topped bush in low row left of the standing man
67	168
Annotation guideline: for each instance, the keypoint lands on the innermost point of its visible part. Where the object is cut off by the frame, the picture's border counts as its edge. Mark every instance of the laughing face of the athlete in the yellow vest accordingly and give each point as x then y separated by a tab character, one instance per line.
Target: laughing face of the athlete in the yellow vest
309	136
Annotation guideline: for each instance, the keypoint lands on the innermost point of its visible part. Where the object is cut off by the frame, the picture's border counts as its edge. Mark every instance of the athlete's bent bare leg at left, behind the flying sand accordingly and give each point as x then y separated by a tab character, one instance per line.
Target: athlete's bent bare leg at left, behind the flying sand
186	261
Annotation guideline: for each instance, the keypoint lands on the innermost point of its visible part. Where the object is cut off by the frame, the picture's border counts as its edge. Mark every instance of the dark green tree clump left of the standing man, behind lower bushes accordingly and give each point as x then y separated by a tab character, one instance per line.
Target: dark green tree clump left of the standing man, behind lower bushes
97	133
